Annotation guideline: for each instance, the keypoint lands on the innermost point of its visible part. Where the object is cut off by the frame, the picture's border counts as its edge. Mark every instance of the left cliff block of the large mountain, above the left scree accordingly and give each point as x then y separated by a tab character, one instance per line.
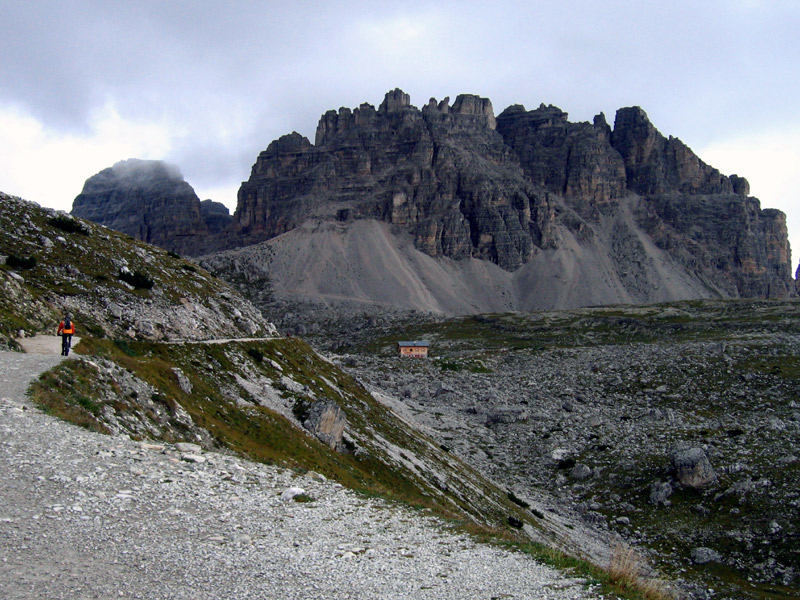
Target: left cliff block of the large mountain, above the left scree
442	172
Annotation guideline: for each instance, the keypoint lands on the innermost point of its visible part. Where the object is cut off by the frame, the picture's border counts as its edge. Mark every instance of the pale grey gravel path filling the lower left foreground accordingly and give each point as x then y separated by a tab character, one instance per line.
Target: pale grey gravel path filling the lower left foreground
89	516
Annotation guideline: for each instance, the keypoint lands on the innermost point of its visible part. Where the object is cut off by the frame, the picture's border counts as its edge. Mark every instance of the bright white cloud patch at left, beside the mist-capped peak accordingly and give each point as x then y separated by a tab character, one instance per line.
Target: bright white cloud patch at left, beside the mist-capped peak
50	167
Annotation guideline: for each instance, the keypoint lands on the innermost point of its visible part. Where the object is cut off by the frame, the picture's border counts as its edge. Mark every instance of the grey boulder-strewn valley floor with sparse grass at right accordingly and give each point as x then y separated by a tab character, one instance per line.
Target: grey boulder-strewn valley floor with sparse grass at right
679	431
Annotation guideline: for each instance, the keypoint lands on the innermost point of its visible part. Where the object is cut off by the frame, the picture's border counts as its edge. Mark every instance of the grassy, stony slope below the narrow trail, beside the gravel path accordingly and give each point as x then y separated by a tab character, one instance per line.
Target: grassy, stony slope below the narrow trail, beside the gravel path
226	401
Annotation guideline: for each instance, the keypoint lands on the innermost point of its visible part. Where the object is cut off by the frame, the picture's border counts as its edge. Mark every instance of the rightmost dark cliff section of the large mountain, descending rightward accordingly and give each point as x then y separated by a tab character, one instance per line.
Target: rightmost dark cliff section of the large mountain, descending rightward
701	217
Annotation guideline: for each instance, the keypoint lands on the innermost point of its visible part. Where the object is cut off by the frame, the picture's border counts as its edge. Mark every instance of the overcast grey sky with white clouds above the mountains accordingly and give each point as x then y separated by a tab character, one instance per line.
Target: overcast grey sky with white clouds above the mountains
208	85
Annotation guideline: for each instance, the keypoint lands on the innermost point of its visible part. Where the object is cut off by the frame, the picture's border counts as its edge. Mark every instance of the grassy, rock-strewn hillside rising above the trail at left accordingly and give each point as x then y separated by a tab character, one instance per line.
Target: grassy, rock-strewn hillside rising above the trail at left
114	285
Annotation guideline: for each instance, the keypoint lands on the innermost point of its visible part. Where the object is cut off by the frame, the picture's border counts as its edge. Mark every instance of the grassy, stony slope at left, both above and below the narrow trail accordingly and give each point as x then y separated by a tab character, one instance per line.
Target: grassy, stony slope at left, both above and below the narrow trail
268	398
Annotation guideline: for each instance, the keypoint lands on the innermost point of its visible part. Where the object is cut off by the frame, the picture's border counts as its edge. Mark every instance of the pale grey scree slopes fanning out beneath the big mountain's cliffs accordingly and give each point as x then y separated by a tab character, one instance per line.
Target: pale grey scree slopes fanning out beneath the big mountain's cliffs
323	271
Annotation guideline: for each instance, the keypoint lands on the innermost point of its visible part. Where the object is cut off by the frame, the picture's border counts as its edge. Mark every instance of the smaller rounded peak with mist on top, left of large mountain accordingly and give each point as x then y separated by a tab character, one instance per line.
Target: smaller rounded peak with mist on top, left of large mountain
150	201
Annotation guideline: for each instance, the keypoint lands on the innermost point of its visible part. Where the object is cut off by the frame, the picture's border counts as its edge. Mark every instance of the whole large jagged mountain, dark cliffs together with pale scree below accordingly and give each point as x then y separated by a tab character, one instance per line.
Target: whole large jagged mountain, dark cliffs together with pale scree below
522	211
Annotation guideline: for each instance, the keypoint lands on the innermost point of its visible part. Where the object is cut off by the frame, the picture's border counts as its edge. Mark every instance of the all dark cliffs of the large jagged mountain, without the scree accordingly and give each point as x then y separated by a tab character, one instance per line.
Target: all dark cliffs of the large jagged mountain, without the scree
467	184
